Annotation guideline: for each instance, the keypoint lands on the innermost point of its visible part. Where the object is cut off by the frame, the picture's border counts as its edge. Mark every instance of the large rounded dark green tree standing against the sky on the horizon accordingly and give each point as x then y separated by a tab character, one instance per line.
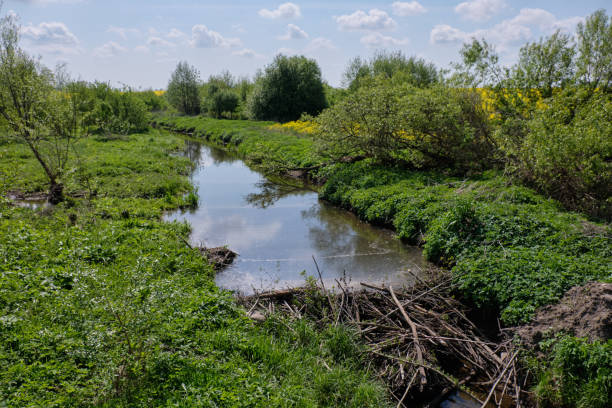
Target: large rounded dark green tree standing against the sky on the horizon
288	87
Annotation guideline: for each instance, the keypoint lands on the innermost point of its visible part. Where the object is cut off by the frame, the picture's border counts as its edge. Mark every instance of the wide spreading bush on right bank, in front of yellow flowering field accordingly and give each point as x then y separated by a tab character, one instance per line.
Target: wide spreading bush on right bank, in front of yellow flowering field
432	127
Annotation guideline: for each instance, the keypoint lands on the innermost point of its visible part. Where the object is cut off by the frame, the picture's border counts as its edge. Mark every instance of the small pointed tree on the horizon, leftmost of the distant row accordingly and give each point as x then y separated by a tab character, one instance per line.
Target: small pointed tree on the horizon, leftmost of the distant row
183	91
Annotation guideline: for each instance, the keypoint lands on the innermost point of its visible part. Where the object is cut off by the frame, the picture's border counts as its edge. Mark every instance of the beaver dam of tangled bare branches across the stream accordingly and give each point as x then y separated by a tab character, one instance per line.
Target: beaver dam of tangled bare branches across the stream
419	339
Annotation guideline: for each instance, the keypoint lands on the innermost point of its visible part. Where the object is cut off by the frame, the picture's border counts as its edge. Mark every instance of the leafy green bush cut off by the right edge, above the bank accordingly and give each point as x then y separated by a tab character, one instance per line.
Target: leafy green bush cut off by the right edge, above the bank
567	151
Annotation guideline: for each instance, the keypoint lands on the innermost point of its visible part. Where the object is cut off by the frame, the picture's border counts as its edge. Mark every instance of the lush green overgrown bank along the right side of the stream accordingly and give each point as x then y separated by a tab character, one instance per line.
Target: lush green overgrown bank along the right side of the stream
509	249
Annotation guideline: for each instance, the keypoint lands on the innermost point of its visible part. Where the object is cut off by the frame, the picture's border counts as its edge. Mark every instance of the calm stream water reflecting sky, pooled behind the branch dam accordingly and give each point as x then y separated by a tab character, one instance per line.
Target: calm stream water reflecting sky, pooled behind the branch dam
277	229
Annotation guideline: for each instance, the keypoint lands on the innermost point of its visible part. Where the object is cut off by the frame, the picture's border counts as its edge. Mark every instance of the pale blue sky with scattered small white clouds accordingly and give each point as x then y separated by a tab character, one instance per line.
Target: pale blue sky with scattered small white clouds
139	42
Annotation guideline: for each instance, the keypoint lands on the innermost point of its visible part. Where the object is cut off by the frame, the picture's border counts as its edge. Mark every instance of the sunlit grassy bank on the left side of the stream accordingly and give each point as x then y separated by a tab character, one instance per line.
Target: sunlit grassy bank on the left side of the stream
102	303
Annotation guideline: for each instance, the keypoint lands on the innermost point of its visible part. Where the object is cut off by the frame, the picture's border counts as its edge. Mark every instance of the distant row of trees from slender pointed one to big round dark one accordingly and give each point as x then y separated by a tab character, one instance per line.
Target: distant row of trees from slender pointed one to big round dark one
288	87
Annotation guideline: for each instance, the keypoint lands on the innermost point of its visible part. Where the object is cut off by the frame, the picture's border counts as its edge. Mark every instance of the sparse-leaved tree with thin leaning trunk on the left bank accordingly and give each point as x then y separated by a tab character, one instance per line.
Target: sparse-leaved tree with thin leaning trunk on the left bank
39	111
